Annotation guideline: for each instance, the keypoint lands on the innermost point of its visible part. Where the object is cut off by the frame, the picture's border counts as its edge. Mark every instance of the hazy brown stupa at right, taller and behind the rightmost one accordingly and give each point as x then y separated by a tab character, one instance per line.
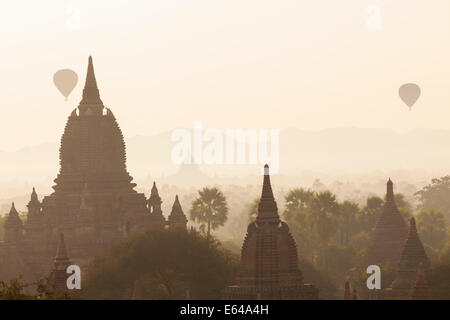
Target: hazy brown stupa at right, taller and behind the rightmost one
389	235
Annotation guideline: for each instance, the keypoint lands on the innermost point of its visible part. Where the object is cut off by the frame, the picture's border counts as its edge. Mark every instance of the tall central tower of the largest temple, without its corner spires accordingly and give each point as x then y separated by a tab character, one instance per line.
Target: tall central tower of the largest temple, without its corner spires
94	203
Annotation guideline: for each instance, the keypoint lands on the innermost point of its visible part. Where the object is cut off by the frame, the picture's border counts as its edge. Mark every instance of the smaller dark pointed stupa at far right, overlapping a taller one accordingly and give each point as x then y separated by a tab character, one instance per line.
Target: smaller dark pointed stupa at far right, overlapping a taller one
412	256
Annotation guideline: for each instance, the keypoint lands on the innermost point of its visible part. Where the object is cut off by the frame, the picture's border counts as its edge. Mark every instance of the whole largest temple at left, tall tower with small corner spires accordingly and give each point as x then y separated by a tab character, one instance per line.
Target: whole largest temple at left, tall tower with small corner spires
94	203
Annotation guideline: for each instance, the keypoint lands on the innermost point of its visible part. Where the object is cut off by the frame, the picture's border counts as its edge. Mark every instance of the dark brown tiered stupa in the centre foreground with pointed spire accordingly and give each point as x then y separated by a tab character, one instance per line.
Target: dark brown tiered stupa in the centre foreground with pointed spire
269	262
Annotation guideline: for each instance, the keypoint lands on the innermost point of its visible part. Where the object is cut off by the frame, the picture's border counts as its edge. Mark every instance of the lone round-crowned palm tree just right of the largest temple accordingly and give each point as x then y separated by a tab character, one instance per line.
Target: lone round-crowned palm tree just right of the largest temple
210	208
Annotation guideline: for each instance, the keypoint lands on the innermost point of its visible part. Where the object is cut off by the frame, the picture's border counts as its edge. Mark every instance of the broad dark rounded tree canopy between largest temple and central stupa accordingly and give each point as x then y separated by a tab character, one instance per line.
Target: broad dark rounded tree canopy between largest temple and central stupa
164	265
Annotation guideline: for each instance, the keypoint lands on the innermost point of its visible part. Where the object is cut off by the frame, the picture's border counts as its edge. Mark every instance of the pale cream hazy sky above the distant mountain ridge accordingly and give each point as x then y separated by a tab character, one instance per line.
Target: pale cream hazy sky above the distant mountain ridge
230	63
